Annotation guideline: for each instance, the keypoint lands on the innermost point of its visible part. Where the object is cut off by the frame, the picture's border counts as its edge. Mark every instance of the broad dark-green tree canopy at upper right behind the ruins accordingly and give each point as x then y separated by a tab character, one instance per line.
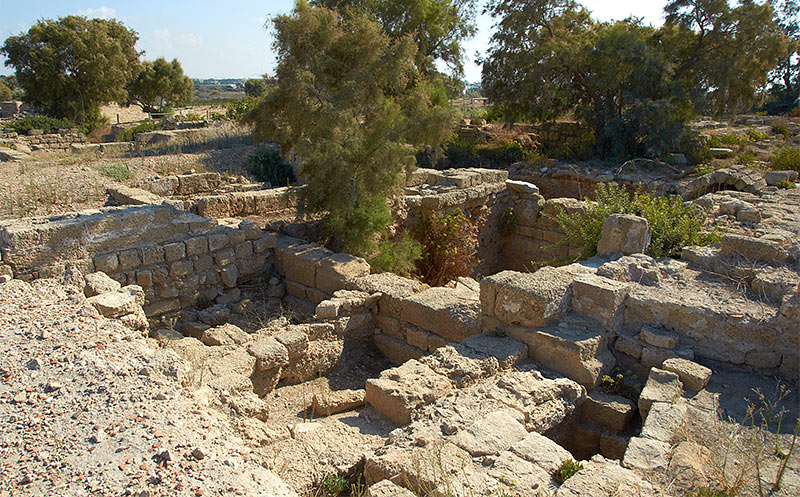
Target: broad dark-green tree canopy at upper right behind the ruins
634	85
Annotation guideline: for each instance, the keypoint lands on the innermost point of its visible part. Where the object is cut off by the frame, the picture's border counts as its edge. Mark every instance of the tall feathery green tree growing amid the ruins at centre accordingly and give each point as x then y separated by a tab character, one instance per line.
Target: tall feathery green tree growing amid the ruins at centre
350	102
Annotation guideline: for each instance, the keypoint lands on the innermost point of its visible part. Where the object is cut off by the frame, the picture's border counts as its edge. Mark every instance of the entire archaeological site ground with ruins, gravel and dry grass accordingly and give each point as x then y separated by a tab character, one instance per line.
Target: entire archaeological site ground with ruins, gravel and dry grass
169	326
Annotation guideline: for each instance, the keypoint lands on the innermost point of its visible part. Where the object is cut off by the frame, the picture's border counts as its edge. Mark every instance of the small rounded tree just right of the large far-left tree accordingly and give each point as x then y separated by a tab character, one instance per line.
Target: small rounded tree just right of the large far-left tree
161	84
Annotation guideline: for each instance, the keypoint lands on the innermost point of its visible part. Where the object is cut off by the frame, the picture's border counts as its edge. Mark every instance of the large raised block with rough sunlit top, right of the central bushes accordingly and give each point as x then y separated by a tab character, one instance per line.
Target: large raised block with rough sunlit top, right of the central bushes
529	299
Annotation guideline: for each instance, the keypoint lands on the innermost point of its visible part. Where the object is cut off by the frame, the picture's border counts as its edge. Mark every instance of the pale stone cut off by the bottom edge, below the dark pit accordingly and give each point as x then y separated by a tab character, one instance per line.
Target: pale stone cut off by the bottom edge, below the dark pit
602	478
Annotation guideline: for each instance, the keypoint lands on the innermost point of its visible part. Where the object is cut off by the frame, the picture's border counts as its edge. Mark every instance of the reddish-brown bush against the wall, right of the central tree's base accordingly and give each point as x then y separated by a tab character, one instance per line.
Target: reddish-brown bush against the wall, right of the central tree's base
449	242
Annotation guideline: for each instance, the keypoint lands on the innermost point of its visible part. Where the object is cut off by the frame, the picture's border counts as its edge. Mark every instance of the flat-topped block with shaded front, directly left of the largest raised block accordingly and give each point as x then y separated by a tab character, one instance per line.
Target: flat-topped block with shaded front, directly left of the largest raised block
453	314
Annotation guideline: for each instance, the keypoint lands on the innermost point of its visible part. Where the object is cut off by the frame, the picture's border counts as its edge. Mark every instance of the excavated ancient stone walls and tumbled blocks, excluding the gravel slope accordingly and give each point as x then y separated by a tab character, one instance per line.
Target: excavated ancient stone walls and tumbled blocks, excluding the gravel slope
485	386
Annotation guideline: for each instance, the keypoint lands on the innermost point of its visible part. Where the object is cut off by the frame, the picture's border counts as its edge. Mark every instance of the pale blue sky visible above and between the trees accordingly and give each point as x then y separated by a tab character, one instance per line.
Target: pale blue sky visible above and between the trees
226	38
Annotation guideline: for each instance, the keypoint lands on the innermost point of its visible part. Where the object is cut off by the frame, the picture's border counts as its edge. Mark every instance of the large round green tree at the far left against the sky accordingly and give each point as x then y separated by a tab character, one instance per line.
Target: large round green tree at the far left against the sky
71	66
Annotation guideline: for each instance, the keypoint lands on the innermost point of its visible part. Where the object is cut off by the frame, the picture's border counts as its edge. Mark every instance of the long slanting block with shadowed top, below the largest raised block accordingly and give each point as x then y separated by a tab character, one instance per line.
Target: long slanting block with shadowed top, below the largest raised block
577	352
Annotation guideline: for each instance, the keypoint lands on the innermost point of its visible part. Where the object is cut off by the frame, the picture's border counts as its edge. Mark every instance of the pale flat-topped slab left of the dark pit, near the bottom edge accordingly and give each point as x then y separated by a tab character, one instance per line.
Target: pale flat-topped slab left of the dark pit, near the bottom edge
492	434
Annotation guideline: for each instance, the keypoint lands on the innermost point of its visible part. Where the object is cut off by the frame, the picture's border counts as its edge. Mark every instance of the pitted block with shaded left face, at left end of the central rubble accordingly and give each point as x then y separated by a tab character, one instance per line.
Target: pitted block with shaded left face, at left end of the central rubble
397	392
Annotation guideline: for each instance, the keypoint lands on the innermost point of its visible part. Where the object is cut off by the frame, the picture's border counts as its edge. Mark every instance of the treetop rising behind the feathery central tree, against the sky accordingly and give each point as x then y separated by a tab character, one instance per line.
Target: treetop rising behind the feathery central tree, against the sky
438	26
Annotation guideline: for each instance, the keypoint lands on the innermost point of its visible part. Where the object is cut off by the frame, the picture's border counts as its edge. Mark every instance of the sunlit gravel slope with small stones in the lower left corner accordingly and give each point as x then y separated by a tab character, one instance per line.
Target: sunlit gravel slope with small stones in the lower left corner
88	407
